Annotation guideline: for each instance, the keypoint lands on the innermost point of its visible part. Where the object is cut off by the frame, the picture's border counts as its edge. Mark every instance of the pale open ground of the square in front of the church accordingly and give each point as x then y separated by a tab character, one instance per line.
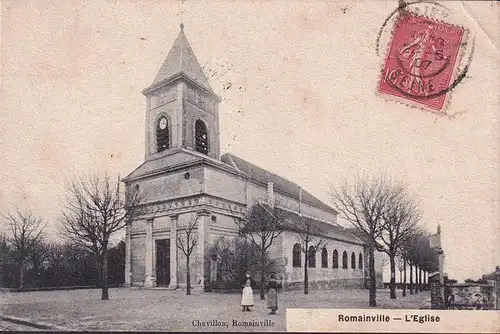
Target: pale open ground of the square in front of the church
164	310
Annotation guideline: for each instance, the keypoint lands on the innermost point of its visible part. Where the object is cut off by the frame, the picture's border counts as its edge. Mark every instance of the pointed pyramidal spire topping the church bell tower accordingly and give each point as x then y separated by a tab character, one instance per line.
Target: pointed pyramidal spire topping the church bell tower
181	59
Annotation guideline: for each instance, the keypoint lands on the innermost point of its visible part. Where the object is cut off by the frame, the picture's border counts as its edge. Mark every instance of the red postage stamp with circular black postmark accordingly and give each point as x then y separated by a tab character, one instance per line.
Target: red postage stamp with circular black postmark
421	61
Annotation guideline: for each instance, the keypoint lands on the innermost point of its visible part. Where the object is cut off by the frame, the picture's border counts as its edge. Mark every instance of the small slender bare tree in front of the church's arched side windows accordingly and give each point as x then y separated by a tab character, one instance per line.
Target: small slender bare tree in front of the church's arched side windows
311	240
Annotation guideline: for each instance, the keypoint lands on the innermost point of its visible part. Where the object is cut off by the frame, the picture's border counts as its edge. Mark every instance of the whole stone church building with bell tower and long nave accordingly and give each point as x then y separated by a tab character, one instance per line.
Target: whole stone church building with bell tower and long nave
184	177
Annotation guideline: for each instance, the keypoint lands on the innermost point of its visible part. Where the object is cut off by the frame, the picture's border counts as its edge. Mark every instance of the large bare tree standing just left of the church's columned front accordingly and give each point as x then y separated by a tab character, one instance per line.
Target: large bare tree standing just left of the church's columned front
96	208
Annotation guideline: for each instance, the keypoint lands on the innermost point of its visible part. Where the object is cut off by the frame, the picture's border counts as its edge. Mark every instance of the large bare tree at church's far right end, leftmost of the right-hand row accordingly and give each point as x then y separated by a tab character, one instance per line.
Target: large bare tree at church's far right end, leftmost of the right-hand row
363	205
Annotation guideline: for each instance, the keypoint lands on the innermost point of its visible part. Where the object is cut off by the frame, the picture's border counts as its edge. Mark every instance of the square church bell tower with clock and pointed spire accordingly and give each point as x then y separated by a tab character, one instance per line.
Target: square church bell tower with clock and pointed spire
182	109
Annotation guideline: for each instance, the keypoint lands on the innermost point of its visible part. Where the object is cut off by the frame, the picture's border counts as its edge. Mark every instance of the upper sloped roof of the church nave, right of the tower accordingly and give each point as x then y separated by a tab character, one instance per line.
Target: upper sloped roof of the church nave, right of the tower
279	183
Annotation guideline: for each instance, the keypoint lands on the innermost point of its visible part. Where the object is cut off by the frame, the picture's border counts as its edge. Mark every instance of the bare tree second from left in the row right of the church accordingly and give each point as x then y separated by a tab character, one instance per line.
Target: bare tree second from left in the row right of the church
401	217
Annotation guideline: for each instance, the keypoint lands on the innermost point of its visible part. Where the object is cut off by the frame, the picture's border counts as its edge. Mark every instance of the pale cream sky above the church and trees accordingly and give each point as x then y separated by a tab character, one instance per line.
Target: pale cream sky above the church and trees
298	83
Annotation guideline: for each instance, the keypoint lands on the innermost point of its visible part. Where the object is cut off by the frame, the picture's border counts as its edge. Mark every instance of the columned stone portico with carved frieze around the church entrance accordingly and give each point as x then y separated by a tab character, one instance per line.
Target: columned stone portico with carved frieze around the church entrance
168	221
